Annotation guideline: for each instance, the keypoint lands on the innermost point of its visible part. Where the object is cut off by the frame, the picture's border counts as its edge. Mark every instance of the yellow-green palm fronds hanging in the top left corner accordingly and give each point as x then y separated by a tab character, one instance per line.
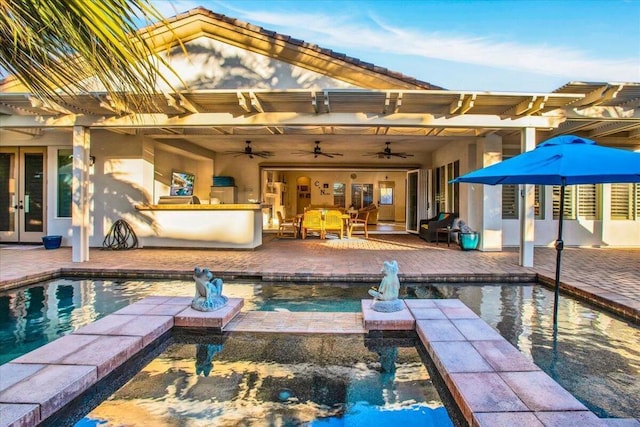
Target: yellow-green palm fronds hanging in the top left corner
59	47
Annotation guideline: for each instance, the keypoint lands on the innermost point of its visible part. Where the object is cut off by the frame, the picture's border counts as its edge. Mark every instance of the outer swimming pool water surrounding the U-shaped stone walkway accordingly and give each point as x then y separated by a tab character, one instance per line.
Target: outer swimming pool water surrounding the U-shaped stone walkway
595	355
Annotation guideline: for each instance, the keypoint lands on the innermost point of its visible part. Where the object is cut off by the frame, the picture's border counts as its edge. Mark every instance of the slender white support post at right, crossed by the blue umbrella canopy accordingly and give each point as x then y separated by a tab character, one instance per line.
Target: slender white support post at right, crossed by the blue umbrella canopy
527	201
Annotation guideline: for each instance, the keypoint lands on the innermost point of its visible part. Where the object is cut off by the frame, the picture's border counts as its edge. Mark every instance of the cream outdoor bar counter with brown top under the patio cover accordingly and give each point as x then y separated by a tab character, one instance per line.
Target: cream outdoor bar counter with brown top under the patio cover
230	226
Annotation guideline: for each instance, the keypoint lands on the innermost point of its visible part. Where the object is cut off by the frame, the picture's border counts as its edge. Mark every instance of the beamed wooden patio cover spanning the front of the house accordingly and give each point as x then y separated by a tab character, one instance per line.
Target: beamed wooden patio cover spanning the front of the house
351	121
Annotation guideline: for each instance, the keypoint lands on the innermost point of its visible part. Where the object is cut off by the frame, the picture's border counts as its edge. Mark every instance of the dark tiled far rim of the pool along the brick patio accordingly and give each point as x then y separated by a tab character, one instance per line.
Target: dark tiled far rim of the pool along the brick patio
616	304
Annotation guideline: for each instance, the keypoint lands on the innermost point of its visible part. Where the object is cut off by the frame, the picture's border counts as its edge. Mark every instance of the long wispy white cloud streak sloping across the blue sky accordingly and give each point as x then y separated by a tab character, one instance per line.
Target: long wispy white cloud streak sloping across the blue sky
374	35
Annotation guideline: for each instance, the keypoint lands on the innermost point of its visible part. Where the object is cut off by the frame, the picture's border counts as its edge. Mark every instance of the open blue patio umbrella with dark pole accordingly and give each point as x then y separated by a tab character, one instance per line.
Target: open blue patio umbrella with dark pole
563	160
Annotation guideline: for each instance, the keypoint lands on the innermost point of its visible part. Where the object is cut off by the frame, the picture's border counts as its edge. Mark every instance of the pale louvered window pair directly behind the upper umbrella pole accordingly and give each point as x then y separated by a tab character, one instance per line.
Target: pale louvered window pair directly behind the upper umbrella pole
580	201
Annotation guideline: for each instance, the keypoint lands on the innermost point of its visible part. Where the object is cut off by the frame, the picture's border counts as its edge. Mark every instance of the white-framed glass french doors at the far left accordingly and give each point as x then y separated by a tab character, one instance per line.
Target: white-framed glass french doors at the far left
22	194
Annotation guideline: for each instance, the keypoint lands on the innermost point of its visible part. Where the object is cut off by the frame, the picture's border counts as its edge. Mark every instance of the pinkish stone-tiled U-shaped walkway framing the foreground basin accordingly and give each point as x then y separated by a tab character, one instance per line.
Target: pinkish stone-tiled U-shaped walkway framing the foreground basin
491	381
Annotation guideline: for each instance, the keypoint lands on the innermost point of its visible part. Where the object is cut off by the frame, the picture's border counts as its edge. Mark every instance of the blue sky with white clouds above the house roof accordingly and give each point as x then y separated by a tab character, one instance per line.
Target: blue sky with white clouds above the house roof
500	46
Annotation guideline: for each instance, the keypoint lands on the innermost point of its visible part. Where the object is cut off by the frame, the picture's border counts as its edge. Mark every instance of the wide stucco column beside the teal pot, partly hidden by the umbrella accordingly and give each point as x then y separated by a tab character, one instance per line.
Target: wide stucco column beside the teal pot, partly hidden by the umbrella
488	198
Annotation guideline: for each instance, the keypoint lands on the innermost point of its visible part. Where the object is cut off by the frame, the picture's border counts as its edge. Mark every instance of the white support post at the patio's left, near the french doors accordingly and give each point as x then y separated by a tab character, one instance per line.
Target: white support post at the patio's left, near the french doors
80	190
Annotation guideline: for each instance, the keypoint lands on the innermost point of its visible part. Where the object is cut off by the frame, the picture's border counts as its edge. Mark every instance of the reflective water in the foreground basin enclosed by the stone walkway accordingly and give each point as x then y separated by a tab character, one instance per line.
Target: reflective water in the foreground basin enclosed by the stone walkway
278	380
